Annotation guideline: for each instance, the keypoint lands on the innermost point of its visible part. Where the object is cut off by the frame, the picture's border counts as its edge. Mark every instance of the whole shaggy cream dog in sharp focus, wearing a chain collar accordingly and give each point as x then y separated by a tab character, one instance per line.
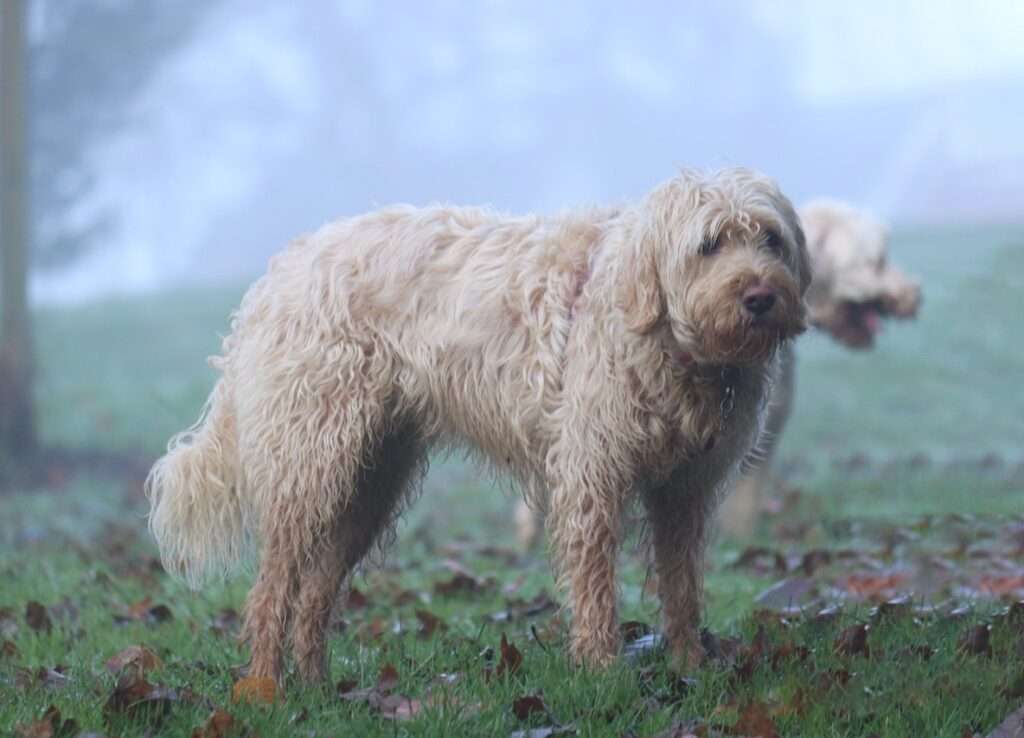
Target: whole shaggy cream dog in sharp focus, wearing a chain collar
600	357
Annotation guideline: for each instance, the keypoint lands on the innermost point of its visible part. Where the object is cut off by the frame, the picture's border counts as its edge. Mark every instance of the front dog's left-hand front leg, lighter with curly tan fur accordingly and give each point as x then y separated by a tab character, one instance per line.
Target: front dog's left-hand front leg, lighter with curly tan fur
584	525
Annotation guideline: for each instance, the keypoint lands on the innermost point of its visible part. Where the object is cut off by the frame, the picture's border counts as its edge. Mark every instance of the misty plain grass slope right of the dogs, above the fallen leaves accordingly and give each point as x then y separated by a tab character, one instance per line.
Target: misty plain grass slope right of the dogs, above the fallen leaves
947	385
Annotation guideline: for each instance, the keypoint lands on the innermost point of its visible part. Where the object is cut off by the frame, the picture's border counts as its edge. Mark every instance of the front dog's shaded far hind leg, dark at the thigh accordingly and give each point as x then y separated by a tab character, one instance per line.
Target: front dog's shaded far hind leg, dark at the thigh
355	529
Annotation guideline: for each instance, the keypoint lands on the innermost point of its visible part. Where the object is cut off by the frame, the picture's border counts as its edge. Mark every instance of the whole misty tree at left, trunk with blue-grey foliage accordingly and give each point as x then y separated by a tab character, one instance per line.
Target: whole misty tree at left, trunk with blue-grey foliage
74	78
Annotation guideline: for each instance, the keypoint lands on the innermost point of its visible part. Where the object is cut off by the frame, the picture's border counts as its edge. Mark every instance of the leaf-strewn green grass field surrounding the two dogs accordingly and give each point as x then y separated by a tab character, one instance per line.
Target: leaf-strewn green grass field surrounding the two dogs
875	600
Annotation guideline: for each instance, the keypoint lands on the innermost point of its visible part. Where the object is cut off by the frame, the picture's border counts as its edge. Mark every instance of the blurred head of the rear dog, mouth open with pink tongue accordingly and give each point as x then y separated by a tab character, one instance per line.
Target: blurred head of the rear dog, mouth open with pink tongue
855	286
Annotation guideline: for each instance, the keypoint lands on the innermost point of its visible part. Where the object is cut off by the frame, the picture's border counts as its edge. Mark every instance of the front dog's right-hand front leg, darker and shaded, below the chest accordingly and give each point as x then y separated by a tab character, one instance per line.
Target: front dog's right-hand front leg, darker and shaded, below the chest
677	519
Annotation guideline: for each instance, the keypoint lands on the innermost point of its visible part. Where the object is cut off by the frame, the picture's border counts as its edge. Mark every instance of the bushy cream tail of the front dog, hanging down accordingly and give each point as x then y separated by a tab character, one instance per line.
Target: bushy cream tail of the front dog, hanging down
196	512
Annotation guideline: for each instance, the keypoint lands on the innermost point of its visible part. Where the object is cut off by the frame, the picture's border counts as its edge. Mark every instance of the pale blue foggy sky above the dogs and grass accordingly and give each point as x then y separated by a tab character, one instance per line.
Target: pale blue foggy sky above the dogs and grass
277	117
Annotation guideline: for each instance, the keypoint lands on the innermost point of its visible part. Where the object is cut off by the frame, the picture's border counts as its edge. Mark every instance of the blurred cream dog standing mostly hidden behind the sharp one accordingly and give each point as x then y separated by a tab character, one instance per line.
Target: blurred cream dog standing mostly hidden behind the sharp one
854	290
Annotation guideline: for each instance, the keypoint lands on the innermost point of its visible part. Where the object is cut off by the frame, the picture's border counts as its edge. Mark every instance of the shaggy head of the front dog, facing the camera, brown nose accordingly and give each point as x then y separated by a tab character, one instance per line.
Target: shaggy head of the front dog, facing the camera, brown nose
722	259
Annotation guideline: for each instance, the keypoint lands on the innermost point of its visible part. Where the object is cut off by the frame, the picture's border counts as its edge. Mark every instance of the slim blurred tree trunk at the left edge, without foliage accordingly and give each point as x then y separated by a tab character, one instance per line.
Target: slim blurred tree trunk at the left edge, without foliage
18	432
